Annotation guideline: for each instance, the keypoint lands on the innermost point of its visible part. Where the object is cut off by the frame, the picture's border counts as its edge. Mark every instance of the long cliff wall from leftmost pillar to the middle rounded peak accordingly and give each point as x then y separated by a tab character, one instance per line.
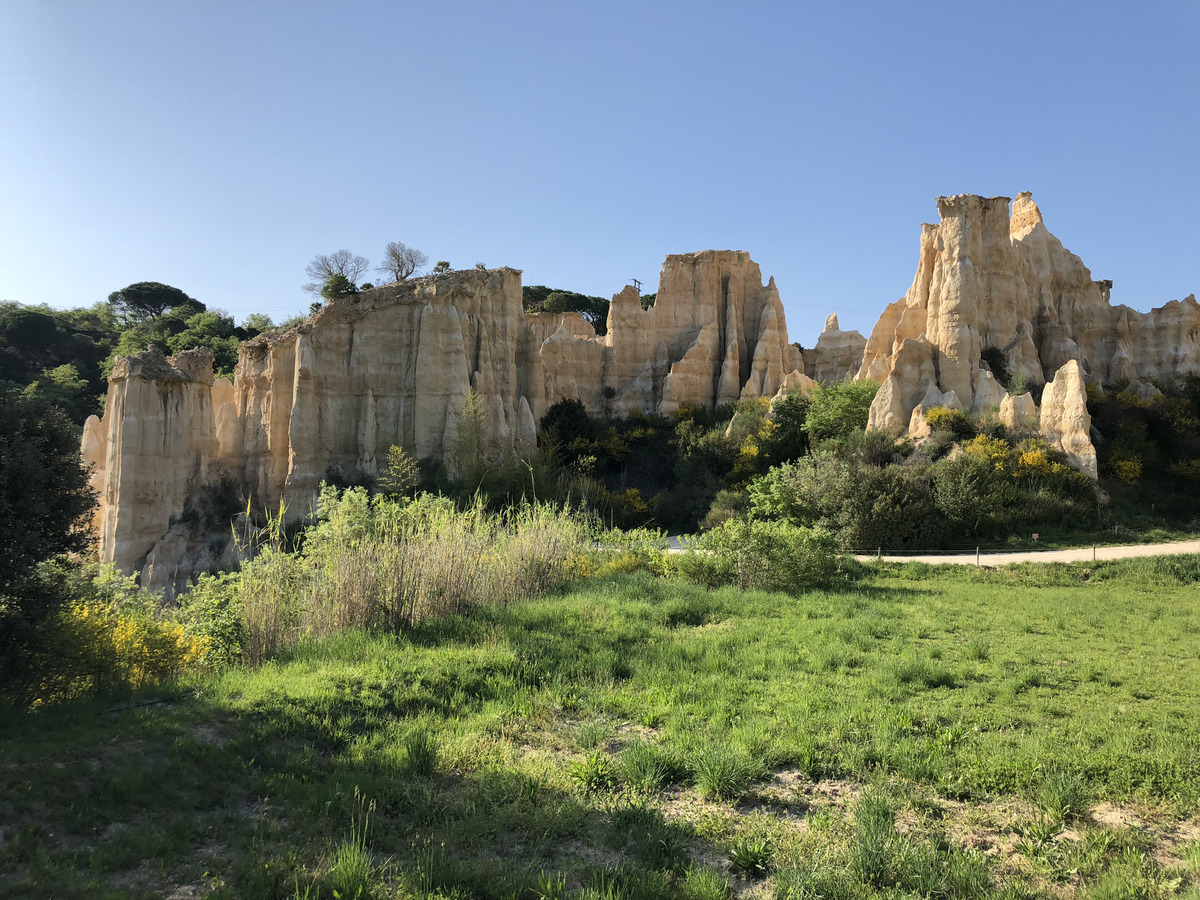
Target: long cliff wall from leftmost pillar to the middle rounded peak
394	367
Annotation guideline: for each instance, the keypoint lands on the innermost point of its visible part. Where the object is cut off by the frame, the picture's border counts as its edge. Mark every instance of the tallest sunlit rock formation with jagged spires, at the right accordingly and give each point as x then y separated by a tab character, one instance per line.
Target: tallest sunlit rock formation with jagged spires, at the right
993	283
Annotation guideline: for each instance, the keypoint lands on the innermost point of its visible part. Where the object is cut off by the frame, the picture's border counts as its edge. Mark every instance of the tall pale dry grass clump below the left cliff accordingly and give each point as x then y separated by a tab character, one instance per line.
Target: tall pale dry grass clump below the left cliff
376	562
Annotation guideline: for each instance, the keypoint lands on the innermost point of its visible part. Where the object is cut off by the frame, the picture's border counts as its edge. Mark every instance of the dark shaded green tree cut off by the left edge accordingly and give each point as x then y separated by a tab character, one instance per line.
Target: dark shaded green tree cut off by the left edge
45	501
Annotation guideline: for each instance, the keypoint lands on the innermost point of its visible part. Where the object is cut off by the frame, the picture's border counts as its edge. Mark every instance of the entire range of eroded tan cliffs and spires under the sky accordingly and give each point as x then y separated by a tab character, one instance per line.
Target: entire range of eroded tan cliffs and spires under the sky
395	365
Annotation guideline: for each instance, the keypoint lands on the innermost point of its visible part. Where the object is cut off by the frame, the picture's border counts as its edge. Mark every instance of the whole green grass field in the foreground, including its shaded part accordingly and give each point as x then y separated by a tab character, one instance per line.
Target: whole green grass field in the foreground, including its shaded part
1029	733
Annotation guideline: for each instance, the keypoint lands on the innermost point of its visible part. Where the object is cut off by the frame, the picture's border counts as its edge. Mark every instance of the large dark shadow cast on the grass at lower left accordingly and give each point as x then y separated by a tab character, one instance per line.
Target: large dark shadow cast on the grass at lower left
137	797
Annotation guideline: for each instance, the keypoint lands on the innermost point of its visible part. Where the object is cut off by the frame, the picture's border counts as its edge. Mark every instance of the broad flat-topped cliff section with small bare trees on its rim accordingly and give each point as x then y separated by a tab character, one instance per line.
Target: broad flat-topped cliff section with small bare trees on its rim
387	367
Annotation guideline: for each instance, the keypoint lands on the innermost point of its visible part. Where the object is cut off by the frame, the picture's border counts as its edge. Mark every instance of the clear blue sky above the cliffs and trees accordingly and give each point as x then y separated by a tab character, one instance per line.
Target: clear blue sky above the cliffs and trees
219	147
